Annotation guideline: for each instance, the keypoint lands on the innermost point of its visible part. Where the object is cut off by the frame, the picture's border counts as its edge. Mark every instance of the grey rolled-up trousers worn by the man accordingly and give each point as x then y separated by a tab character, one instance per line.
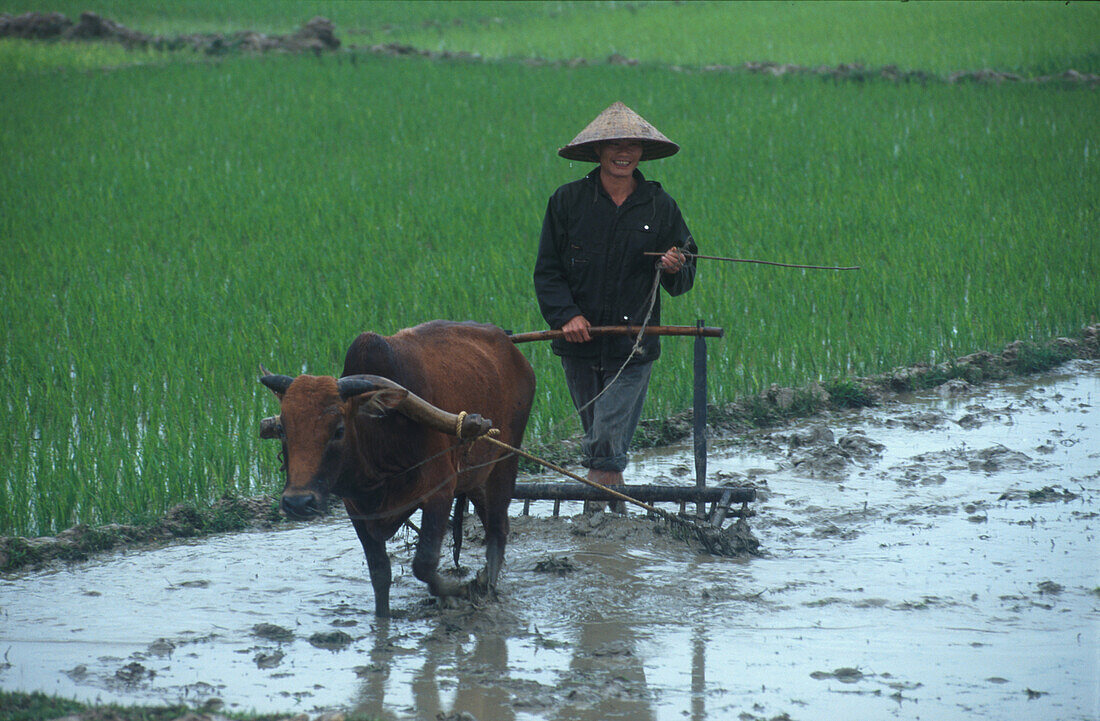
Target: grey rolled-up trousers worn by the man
609	423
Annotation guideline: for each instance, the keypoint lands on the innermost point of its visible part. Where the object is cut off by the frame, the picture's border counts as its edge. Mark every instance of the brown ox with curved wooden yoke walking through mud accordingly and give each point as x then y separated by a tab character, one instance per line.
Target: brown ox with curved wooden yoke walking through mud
382	440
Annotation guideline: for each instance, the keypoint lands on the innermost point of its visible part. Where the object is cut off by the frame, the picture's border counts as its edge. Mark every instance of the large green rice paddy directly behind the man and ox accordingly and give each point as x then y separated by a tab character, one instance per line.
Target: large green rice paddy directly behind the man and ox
168	228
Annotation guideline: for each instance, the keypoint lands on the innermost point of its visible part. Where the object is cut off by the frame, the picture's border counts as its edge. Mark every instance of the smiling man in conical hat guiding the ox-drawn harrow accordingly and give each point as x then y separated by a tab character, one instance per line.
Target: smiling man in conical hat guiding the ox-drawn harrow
591	271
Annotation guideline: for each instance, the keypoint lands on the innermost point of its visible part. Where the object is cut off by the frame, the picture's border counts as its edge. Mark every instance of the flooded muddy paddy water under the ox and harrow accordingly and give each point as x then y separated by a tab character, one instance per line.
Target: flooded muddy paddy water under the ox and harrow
930	560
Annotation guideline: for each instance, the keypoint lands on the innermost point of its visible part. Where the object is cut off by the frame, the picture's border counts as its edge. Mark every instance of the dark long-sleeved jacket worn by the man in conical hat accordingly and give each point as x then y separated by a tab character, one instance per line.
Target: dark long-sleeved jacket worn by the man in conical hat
591	263
